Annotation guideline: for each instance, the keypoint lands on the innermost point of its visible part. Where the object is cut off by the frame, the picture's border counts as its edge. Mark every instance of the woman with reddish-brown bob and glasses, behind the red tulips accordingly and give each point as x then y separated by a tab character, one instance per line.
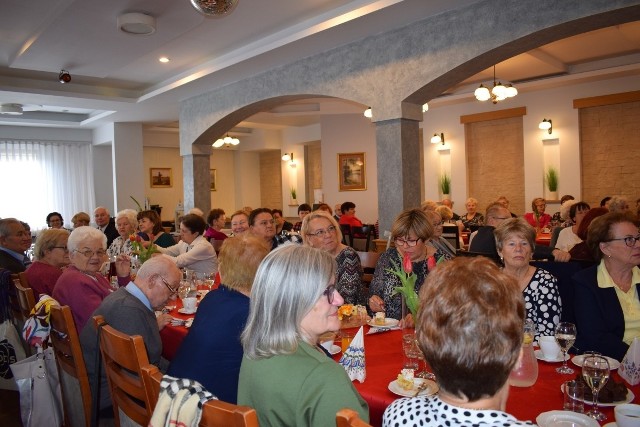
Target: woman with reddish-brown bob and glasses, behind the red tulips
410	233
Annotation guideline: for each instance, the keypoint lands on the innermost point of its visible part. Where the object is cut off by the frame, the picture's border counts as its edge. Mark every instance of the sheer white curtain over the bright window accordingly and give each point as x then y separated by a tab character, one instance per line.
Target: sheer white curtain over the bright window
38	177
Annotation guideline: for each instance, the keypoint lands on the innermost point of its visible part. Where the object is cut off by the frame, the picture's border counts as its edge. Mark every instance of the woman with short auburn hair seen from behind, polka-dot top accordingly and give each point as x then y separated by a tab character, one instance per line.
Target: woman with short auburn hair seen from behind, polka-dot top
470	329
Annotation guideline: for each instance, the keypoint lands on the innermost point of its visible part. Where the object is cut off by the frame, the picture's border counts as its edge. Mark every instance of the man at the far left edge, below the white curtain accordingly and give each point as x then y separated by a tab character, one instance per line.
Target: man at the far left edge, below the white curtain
14	241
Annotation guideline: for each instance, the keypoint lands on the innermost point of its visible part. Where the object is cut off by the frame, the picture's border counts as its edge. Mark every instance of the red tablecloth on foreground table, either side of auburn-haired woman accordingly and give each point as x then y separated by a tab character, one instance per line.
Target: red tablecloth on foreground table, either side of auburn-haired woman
383	354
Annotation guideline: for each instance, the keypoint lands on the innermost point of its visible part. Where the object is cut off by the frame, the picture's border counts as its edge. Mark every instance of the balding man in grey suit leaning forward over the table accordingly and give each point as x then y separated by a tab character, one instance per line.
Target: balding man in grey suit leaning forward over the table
130	310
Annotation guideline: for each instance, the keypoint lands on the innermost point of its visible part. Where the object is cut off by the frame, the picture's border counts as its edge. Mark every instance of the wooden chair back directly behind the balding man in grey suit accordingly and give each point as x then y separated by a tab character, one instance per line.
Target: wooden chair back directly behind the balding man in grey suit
123	357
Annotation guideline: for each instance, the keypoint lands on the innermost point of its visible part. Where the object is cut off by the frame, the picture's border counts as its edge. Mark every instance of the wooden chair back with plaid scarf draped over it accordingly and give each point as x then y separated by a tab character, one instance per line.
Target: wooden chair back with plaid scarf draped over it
214	412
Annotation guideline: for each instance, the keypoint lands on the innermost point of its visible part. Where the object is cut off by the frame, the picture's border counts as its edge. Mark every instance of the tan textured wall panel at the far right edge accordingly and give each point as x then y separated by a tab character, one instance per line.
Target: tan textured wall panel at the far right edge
610	151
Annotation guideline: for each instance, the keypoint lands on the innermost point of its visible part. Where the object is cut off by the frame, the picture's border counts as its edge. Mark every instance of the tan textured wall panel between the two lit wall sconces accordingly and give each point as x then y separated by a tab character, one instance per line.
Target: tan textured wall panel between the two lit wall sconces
495	161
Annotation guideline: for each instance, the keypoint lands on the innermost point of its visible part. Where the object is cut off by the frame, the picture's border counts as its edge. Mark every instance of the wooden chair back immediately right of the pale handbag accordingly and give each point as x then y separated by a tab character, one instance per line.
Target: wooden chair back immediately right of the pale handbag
66	346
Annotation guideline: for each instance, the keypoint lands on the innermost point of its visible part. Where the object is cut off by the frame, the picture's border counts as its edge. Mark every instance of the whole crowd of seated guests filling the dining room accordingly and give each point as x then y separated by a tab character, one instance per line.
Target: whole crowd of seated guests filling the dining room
261	325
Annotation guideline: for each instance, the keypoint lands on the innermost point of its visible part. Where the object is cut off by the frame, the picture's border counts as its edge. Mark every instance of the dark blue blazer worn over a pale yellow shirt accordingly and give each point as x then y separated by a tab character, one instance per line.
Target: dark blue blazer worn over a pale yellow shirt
599	317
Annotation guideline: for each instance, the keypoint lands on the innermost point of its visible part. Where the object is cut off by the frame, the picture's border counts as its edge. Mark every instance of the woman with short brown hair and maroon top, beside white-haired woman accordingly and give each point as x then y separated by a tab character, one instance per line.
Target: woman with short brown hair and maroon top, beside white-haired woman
51	256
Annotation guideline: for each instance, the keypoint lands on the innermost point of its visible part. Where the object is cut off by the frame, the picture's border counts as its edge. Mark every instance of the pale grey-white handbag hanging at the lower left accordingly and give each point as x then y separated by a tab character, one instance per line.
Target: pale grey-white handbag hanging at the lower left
39	386
